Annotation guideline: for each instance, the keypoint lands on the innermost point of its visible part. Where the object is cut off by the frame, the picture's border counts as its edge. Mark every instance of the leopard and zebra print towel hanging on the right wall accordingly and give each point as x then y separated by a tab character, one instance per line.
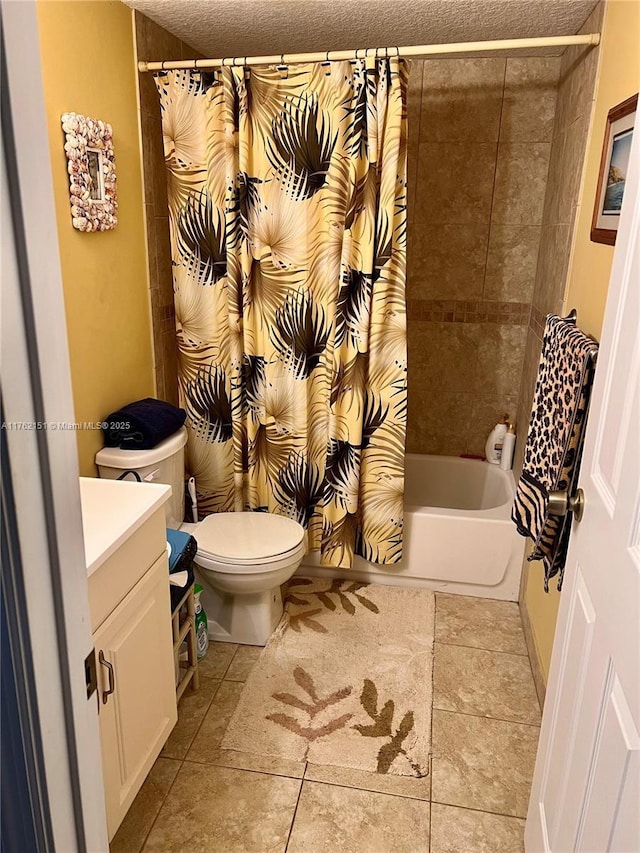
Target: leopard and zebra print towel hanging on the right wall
554	441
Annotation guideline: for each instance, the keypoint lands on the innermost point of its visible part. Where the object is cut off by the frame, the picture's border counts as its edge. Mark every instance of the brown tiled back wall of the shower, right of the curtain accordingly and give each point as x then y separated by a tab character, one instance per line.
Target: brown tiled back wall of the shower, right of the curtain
480	133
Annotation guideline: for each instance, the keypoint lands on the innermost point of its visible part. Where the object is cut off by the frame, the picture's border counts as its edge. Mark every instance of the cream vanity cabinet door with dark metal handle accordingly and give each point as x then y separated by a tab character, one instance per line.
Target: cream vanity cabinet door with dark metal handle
135	722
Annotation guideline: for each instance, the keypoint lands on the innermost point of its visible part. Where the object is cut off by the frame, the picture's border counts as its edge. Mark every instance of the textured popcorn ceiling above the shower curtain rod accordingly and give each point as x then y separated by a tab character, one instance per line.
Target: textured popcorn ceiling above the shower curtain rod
257	27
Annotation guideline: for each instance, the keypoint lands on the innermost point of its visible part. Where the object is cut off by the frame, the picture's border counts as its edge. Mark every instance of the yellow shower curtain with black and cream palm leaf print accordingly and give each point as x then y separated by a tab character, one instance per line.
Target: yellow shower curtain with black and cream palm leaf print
287	211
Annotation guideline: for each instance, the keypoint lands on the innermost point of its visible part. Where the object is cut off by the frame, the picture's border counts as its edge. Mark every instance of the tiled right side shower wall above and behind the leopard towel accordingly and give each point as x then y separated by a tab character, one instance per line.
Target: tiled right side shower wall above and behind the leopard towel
575	99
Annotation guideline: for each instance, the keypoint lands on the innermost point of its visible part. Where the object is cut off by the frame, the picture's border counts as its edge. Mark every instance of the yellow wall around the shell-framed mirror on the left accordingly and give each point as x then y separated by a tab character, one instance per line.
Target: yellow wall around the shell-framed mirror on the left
87	55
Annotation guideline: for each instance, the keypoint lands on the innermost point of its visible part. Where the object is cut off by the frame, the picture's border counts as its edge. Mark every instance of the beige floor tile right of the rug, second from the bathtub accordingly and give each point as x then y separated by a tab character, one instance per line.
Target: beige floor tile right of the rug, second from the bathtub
490	684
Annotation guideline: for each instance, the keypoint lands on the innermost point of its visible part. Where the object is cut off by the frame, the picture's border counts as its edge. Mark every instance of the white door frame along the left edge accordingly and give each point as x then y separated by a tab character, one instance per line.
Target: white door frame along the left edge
42	457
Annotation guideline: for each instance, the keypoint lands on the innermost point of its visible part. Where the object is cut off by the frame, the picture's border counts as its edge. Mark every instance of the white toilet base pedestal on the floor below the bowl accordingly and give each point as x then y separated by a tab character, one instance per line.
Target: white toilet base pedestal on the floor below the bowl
247	619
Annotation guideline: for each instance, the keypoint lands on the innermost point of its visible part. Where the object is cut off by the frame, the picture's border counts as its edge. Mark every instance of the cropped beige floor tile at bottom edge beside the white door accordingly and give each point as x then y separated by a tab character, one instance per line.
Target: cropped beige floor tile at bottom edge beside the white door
463	831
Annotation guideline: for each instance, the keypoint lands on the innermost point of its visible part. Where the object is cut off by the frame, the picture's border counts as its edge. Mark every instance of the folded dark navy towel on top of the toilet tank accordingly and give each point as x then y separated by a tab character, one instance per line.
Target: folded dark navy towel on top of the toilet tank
142	425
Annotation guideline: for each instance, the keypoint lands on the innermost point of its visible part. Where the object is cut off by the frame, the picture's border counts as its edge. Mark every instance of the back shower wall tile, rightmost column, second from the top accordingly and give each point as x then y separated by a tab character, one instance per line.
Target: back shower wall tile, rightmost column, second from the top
520	183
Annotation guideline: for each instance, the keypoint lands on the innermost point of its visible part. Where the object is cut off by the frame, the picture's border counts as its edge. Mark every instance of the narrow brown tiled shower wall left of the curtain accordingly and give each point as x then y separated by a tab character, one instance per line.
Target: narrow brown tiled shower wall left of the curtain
154	42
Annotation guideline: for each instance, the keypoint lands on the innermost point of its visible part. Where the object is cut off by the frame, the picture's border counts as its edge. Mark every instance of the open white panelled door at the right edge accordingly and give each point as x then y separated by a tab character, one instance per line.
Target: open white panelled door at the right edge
586	787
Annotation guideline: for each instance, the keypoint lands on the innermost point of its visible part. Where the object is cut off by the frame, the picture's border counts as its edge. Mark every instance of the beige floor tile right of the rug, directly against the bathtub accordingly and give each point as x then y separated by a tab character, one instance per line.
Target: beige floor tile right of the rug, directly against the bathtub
483	623
